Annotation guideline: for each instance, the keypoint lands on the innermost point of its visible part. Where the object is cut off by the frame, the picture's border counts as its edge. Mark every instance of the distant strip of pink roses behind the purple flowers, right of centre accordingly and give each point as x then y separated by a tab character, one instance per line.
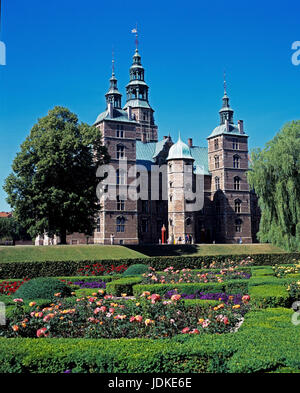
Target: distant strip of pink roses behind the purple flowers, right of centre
170	275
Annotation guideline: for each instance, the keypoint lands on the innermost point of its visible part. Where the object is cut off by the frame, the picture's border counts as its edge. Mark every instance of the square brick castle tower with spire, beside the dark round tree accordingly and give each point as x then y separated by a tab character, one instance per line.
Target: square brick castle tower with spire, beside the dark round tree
118	212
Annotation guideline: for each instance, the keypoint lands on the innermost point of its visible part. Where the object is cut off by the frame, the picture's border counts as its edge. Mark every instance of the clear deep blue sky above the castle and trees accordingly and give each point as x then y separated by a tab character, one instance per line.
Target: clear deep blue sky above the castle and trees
59	53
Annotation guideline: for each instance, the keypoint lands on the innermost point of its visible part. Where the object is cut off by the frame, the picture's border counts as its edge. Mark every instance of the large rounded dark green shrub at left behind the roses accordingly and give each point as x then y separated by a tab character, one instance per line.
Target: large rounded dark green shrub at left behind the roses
42	288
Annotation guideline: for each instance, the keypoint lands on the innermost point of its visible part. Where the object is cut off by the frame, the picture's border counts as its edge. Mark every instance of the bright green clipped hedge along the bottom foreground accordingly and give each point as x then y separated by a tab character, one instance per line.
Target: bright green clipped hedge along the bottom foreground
266	342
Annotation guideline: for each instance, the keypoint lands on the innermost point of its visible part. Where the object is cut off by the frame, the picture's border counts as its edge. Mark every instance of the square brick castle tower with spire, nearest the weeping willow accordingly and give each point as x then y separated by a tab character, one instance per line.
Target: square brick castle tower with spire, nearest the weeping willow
228	165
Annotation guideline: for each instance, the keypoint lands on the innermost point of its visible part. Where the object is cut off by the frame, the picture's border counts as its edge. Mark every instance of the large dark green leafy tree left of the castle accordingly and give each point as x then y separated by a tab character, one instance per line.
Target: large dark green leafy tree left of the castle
53	185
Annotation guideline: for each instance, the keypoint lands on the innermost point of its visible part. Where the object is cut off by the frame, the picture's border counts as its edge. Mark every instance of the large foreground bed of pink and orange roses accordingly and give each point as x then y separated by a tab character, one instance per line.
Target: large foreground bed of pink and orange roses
99	316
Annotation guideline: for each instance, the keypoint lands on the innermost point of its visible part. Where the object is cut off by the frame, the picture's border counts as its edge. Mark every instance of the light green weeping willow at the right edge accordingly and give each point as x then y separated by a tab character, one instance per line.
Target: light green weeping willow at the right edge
275	177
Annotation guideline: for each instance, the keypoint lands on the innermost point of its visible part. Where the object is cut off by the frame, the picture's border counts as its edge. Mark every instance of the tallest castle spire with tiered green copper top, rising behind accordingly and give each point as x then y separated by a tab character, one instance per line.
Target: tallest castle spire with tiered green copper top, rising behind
137	92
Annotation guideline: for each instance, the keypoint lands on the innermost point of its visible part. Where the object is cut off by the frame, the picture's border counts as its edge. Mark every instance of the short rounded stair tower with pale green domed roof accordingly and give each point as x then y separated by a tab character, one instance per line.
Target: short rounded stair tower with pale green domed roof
180	181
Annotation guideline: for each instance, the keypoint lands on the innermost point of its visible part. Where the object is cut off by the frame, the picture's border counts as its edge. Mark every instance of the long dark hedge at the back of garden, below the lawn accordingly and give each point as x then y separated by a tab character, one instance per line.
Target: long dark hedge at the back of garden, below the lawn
70	268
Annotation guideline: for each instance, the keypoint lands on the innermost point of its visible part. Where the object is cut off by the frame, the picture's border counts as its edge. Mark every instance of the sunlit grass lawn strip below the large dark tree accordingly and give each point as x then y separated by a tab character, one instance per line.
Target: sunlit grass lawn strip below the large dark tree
64	253
